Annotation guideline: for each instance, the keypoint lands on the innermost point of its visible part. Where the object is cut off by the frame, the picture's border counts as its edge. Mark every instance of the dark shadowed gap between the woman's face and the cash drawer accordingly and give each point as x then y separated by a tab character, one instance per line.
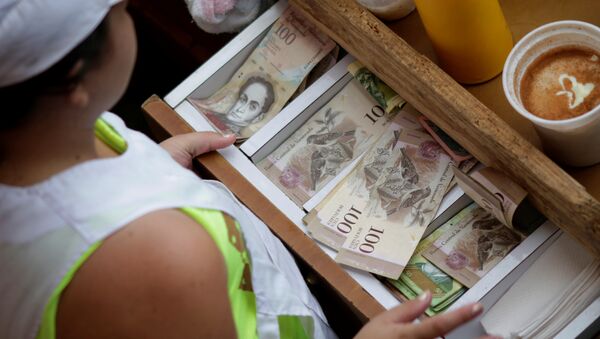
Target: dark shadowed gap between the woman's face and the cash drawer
170	48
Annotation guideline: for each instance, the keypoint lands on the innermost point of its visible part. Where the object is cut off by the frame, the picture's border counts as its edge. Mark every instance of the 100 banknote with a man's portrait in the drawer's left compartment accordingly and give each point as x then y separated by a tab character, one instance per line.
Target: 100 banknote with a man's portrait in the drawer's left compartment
264	83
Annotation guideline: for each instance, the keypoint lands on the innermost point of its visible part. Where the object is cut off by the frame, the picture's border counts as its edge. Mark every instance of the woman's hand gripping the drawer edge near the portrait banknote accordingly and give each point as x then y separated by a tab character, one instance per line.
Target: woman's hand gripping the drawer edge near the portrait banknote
185	147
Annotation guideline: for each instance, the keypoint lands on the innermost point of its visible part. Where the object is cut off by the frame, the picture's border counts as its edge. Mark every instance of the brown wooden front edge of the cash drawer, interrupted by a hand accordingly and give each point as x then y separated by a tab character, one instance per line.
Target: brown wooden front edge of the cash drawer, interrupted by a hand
166	121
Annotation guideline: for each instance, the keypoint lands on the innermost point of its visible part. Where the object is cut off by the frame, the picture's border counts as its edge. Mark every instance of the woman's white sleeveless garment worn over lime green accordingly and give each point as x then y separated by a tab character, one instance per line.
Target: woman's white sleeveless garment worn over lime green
45	228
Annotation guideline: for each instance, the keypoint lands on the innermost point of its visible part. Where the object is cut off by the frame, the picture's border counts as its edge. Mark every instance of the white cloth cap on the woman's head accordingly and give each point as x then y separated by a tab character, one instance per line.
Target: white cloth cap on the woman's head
36	34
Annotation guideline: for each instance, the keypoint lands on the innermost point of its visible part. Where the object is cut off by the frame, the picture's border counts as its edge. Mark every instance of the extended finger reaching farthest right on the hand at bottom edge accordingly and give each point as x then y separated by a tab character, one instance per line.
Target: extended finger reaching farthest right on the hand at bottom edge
444	323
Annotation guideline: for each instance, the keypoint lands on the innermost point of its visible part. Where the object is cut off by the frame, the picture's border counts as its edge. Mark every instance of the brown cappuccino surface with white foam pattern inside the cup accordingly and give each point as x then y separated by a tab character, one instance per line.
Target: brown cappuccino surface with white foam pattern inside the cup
562	83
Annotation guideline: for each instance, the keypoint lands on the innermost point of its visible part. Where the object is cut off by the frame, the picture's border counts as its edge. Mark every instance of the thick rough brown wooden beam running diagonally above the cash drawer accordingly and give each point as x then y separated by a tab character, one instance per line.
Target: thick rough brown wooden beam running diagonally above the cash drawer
562	199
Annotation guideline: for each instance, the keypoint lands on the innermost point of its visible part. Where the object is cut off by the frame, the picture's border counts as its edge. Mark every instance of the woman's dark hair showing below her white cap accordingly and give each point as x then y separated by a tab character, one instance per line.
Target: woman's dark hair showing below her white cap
18	100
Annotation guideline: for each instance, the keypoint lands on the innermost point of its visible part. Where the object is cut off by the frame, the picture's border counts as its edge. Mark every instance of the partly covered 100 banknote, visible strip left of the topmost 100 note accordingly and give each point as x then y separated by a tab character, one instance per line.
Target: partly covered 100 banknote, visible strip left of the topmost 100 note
333	218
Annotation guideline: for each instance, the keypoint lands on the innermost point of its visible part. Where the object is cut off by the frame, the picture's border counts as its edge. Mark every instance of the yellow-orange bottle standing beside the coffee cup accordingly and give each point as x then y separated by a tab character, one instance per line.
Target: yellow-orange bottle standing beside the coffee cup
470	37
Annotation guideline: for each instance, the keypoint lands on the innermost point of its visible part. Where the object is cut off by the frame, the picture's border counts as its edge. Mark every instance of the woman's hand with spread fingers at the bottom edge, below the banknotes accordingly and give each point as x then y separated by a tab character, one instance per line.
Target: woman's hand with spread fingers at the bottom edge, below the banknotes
398	322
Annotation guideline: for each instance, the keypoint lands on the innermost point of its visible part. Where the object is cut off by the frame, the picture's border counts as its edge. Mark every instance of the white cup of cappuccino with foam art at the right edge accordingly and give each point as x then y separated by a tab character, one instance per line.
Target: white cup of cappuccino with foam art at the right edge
572	139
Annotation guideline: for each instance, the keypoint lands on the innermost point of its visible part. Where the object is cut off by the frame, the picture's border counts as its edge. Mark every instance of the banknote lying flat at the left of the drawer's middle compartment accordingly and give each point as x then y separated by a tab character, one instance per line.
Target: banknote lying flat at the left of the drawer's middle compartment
330	140
